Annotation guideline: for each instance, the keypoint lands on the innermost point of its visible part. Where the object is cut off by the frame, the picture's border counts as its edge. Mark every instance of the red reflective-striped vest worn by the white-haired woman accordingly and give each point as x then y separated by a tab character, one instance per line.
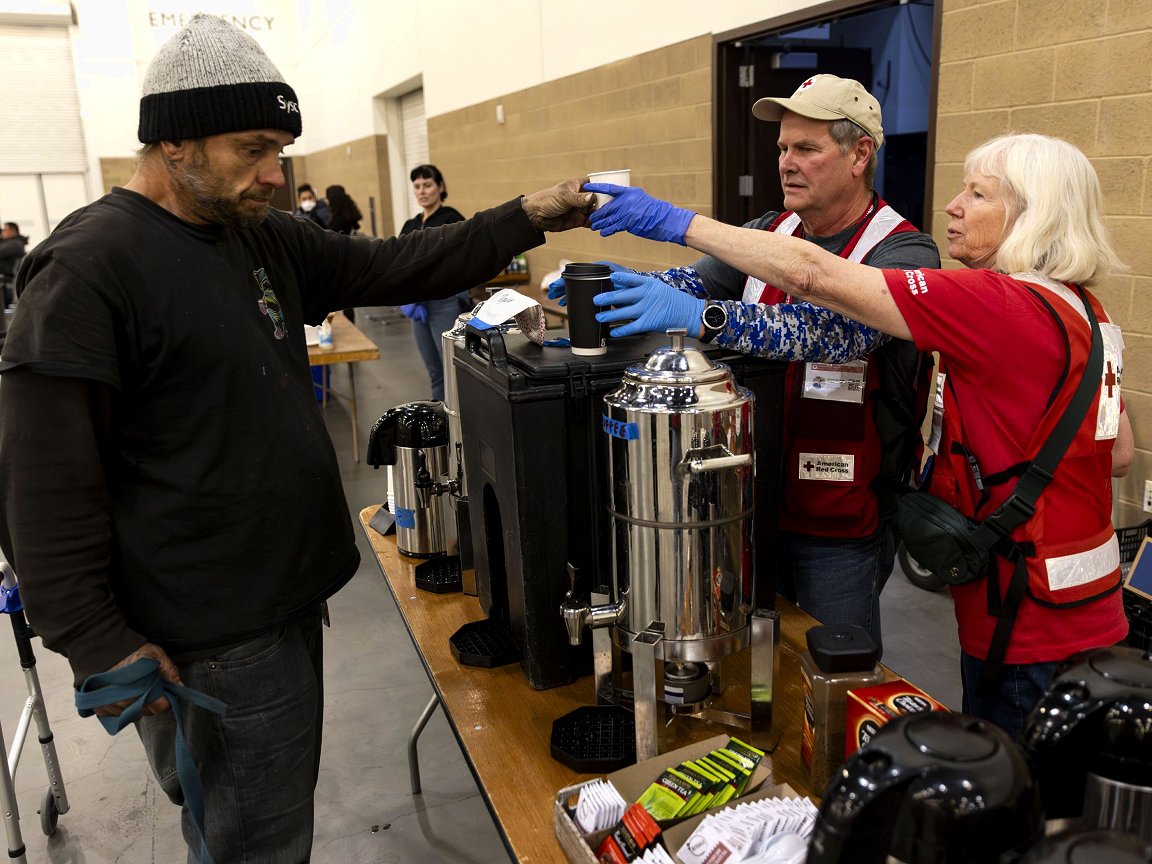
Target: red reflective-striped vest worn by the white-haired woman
1078	557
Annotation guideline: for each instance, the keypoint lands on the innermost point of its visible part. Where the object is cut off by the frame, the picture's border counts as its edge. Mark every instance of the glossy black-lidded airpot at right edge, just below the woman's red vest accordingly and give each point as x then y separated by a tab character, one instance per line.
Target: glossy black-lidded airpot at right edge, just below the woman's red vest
1090	741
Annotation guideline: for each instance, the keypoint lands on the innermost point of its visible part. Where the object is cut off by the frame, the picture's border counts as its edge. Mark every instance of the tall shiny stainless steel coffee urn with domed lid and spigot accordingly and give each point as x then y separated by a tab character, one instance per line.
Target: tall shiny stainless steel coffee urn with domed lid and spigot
681	472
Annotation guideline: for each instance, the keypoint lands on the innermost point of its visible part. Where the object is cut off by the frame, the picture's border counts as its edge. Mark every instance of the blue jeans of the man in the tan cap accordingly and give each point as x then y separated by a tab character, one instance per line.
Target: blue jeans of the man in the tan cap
838	581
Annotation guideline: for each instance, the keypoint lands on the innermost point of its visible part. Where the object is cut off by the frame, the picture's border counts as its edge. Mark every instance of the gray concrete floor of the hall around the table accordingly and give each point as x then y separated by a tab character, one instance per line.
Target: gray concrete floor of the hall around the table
376	691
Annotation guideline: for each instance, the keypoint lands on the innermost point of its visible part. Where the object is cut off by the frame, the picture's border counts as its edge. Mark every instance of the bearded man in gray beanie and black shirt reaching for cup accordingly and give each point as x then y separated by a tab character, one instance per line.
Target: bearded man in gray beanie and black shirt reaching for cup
160	346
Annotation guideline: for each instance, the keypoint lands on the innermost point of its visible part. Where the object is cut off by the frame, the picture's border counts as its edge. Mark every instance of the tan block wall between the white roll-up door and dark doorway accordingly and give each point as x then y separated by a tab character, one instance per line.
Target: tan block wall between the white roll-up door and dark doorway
651	113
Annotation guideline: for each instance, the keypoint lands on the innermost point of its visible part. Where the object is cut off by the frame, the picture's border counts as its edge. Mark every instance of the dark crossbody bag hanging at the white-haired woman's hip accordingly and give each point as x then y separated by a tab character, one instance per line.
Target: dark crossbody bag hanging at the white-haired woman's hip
942	539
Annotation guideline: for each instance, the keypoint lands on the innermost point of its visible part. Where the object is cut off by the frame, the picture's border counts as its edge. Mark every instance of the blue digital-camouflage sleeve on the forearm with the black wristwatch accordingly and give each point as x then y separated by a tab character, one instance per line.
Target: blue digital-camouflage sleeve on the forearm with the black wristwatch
797	332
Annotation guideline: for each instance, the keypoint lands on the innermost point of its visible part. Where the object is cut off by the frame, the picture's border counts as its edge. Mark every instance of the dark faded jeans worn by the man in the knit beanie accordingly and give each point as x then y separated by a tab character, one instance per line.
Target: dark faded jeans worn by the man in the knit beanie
259	763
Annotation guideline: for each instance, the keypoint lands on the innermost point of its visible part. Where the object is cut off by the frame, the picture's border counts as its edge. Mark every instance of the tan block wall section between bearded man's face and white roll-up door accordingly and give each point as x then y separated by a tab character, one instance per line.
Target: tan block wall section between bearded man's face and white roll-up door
362	169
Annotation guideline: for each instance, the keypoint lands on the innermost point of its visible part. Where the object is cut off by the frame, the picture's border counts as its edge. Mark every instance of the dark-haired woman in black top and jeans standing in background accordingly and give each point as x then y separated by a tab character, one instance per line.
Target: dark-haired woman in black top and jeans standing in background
434	317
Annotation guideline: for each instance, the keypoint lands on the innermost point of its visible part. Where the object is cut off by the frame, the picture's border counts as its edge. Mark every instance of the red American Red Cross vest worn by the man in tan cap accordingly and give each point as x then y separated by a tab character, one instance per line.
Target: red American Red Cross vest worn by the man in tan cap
825	439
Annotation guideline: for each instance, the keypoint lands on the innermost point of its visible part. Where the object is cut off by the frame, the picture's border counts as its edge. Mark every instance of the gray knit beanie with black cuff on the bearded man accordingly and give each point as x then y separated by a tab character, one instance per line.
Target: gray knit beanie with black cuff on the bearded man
211	78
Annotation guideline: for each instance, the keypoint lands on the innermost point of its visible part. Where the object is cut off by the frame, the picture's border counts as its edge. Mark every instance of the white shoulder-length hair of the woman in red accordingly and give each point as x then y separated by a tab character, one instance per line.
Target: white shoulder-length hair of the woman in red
1055	208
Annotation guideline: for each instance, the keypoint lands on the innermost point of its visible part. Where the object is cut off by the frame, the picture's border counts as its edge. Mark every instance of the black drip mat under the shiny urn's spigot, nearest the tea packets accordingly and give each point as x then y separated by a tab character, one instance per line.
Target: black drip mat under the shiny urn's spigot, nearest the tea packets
595	739
